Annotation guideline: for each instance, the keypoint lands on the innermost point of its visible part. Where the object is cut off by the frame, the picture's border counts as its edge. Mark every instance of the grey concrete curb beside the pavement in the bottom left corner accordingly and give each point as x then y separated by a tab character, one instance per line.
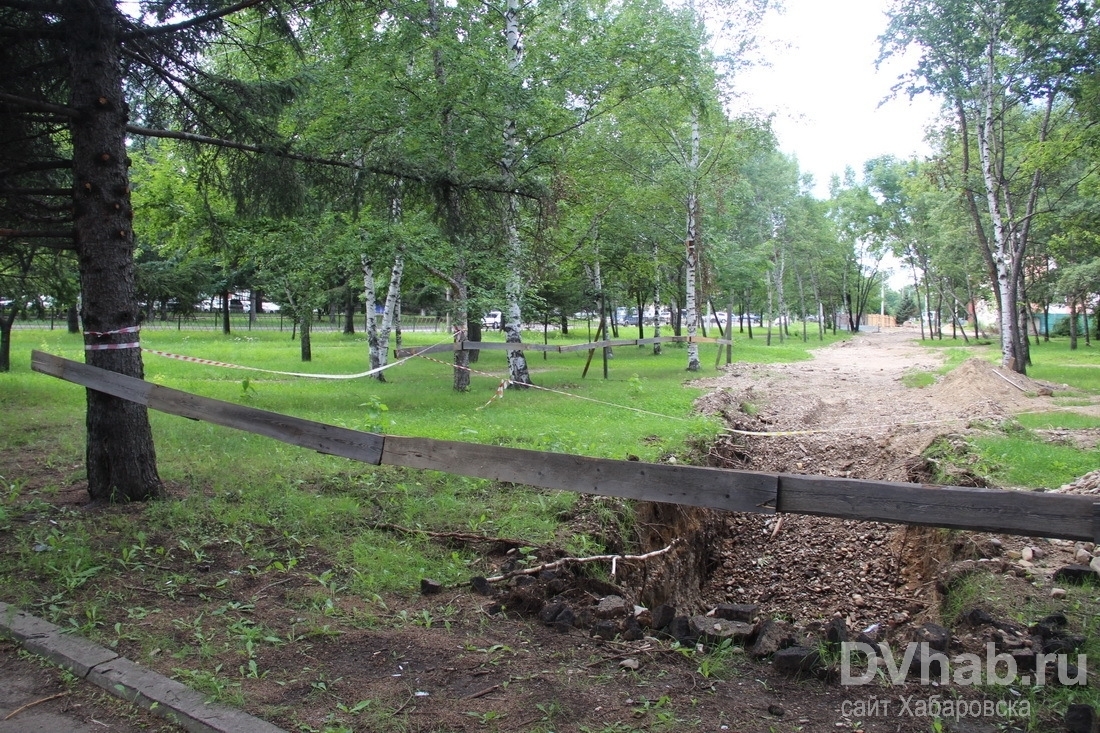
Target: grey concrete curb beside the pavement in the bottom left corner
123	679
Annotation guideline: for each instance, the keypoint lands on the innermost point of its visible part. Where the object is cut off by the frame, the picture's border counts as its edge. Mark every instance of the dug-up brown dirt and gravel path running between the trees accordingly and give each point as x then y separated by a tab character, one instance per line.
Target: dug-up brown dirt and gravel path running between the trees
848	413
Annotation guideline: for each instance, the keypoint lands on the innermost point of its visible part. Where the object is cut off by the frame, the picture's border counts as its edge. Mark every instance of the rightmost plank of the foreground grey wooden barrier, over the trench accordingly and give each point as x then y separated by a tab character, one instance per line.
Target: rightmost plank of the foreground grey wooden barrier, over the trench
1028	513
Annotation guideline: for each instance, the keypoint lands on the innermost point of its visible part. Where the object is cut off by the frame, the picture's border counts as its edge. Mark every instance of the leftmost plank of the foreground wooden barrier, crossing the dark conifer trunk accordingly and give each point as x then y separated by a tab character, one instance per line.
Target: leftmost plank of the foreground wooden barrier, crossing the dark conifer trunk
307	434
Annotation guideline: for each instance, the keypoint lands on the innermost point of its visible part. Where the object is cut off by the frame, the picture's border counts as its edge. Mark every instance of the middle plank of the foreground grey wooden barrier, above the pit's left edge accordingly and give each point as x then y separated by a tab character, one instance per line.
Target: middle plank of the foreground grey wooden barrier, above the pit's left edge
732	491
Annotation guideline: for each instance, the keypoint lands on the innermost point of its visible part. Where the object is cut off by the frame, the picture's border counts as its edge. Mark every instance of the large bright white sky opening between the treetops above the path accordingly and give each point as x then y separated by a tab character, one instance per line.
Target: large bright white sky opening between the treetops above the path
826	93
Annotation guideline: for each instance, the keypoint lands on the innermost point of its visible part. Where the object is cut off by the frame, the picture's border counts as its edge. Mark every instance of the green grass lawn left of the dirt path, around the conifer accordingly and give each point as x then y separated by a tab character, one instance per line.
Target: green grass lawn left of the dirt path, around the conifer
228	486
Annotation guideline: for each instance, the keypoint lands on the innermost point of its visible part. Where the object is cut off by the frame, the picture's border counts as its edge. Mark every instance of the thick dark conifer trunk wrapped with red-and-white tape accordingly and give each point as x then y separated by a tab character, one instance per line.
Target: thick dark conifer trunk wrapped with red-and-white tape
122	461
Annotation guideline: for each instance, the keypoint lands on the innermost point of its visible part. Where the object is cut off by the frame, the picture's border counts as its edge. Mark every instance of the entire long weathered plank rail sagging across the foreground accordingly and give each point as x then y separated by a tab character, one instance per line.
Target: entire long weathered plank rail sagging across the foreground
981	510
